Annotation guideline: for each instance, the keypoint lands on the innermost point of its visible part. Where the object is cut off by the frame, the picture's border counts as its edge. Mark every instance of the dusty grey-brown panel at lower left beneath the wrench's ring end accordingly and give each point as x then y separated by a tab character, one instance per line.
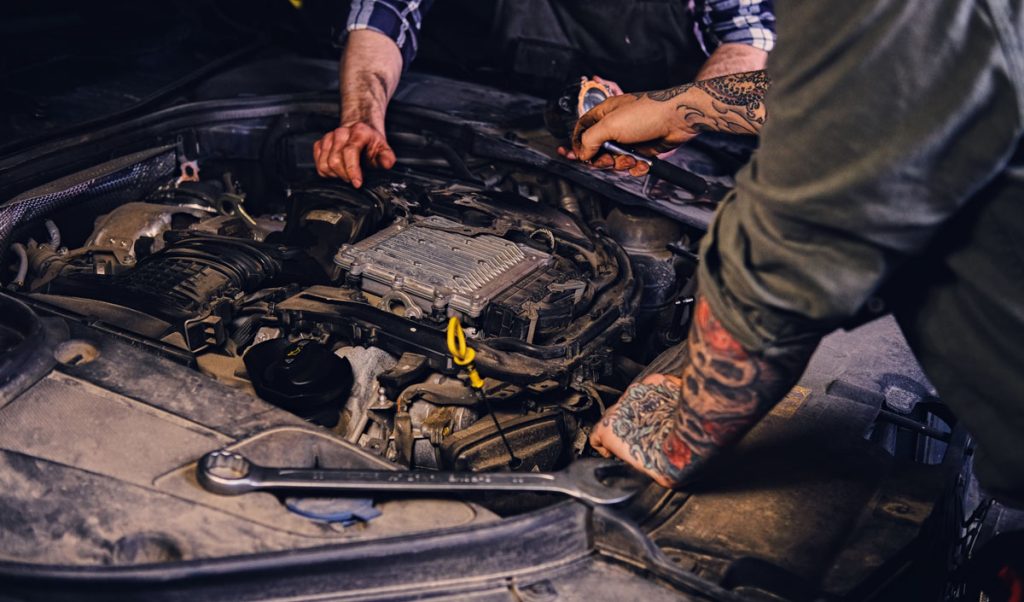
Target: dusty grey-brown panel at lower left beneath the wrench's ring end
98	468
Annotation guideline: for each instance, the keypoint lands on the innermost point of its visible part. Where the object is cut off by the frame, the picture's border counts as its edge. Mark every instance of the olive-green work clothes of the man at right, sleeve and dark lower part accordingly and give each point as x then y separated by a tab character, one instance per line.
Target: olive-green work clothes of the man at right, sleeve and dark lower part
891	176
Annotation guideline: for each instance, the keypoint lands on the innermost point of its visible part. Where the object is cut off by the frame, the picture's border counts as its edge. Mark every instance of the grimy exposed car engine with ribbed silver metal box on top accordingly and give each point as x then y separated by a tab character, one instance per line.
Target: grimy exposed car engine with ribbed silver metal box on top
336	307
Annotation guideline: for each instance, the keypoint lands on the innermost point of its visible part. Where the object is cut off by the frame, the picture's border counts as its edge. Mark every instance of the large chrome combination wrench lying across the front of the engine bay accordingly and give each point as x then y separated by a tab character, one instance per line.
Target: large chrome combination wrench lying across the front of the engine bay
230	474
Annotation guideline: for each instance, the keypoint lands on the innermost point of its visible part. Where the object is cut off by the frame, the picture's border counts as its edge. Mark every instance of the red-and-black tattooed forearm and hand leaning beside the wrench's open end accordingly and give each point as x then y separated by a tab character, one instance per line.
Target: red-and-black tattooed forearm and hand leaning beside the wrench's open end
673	424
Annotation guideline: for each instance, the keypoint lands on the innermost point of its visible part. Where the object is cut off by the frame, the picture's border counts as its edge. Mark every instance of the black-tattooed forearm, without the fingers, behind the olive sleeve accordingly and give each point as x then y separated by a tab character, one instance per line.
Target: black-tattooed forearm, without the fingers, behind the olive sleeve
730	104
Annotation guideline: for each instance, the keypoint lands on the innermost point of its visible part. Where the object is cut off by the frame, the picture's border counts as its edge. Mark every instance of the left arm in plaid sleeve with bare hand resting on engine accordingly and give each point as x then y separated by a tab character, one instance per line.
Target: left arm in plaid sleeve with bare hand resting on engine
382	39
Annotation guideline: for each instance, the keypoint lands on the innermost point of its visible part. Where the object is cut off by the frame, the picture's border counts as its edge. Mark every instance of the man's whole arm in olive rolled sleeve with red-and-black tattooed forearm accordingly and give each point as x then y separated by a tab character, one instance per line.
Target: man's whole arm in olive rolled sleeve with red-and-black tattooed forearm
851	179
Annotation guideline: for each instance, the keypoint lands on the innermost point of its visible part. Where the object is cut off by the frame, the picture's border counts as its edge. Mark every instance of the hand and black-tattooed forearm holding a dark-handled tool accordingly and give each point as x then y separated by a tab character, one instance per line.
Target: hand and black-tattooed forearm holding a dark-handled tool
660	121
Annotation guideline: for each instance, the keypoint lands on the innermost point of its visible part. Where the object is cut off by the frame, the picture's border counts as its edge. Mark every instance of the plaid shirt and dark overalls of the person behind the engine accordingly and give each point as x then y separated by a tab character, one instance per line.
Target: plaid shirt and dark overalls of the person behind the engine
536	46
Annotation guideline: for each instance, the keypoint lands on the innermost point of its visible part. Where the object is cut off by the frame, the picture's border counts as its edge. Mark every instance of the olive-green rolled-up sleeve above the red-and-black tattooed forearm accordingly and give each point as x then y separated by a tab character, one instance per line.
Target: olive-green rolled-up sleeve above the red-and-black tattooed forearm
884	120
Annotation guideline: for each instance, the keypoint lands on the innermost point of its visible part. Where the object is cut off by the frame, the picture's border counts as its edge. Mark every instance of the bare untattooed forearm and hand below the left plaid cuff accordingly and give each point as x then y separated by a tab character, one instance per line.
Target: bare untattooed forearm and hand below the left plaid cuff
370	72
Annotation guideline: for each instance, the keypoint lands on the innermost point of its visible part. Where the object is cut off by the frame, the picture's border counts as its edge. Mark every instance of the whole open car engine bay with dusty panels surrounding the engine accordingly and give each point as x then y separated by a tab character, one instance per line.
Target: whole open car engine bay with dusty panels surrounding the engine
205	290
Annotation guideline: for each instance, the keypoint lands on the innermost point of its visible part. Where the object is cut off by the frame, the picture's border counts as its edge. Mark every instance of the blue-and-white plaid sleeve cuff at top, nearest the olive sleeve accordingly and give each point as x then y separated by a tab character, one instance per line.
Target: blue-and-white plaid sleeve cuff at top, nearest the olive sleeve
738	22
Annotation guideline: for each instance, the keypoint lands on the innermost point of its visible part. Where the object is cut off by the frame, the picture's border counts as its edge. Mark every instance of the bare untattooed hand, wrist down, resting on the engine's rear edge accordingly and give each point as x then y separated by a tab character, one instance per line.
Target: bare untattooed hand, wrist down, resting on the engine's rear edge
339	153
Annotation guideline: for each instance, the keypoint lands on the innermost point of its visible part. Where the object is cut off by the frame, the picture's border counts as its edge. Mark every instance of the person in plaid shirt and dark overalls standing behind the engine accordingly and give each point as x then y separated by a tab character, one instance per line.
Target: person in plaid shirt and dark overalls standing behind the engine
539	45
